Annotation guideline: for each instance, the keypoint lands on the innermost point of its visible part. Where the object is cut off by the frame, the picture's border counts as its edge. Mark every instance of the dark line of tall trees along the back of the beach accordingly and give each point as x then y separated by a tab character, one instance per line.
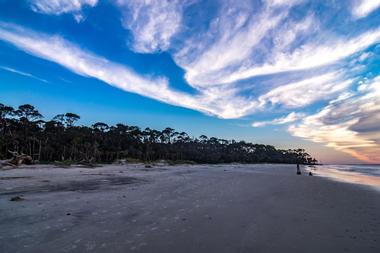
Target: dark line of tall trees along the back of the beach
23	130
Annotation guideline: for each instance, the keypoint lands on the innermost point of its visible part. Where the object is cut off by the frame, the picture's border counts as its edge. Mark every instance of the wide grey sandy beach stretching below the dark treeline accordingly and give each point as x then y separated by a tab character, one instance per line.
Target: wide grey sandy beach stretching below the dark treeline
199	208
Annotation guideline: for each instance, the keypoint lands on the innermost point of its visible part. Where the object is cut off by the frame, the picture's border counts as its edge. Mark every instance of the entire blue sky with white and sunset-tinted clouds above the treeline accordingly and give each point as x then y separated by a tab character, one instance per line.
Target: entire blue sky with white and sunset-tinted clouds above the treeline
295	73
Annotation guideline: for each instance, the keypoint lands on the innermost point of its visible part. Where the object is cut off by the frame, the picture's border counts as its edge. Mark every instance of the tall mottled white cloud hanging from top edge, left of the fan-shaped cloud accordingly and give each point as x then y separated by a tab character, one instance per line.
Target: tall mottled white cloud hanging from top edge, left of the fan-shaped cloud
153	23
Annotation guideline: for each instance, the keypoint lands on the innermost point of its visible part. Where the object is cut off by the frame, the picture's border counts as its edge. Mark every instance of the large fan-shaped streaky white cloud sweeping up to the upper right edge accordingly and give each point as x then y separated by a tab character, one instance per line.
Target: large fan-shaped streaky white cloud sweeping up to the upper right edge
239	45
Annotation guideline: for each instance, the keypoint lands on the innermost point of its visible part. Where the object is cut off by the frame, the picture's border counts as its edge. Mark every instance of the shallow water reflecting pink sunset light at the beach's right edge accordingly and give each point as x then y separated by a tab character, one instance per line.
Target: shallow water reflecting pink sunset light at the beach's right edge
355	174
